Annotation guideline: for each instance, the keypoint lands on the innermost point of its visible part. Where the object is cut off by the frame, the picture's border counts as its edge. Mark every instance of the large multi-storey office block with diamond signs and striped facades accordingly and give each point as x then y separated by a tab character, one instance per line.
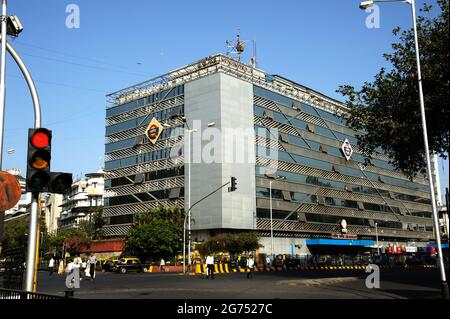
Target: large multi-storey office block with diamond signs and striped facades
294	183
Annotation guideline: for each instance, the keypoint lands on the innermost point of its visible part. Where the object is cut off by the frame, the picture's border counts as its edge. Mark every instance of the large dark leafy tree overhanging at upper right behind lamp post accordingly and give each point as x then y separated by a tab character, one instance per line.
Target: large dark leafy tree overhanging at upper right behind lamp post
386	112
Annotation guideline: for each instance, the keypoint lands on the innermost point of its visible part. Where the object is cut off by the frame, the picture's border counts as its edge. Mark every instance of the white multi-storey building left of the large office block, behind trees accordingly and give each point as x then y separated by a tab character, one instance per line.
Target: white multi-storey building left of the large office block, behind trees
86	195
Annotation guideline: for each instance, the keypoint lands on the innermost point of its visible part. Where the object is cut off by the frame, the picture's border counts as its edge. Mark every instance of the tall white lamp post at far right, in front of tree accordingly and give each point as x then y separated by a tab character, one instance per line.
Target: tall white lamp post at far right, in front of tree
444	286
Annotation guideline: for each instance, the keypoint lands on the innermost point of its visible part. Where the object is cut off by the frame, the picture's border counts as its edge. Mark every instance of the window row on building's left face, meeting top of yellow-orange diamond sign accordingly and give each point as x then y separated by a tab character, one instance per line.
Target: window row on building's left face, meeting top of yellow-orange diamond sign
145	120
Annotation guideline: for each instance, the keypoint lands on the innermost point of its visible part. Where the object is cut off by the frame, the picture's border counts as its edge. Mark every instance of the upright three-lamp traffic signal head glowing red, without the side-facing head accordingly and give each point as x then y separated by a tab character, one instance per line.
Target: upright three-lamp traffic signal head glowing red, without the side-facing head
39	156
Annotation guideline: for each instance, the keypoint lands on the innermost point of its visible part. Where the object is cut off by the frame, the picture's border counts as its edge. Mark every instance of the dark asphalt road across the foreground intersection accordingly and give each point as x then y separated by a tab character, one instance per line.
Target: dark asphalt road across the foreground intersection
332	284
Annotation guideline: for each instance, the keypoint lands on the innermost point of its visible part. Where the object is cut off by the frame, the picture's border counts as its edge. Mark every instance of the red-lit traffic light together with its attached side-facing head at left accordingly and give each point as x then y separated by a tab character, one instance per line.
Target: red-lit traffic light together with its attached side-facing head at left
39	177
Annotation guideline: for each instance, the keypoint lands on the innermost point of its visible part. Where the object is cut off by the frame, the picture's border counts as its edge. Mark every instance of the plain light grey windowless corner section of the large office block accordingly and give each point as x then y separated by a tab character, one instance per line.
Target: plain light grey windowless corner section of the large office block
226	102
